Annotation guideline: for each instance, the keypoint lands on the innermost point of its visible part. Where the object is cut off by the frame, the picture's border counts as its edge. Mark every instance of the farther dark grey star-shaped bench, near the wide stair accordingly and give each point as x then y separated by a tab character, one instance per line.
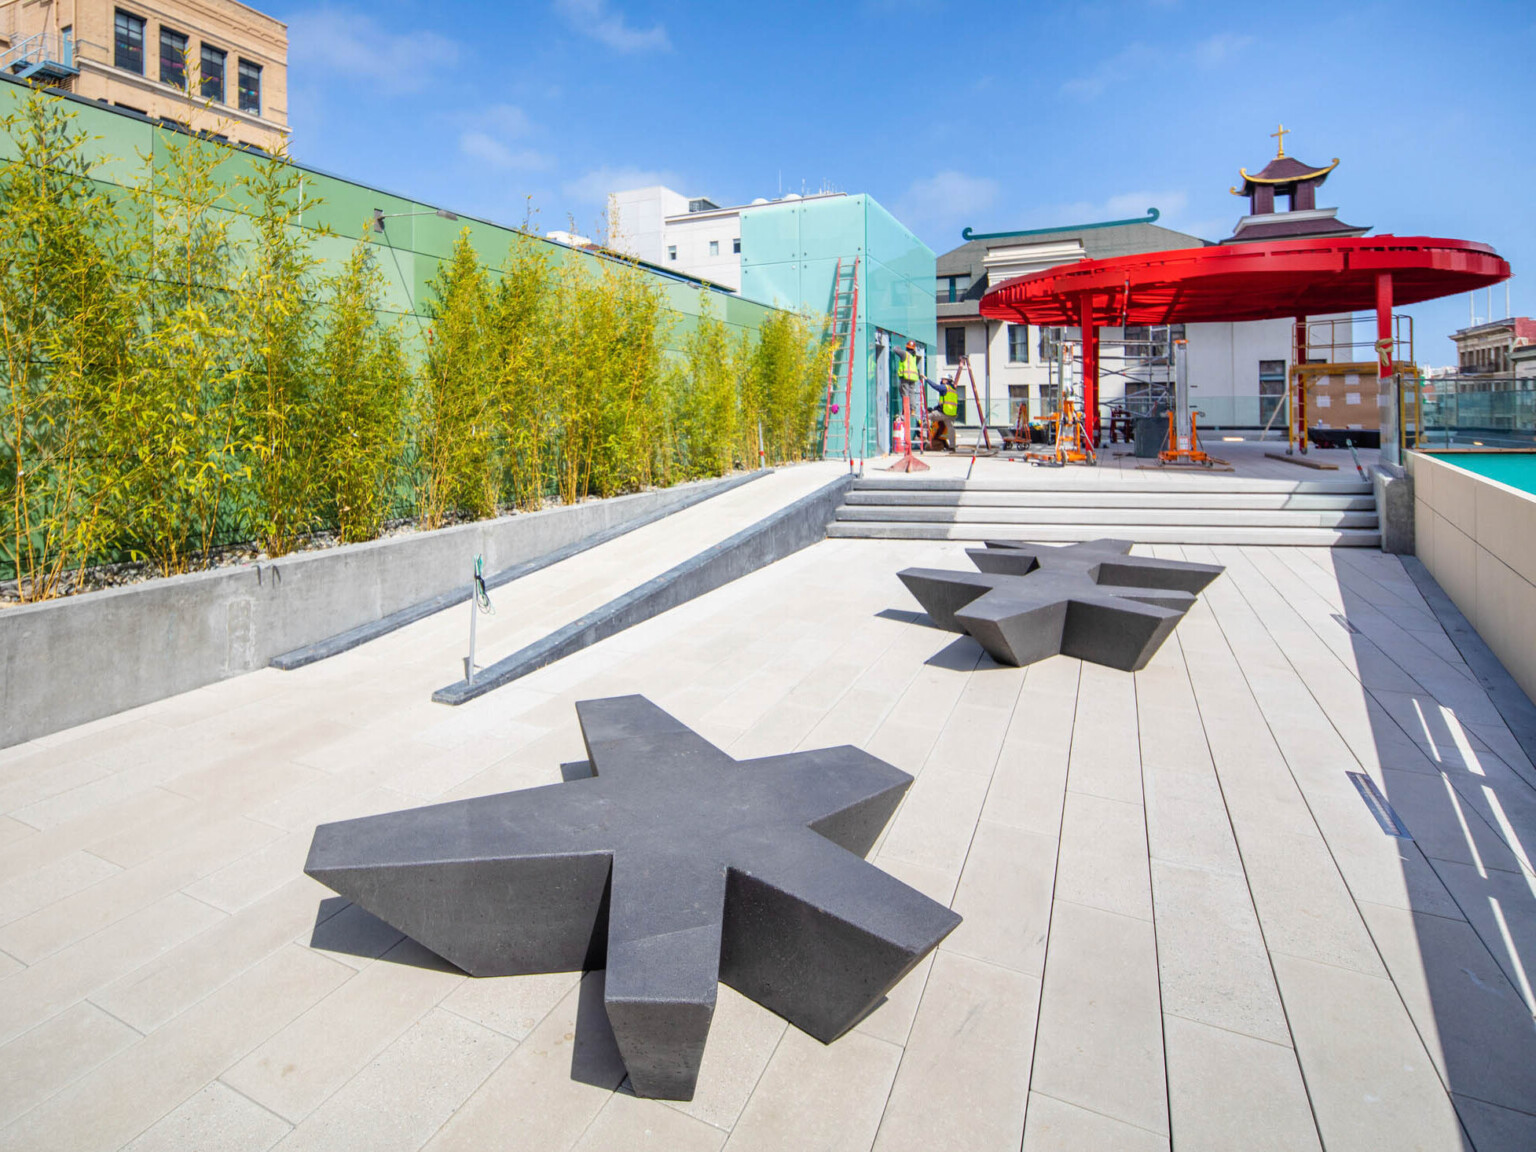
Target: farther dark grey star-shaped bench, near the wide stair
1093	601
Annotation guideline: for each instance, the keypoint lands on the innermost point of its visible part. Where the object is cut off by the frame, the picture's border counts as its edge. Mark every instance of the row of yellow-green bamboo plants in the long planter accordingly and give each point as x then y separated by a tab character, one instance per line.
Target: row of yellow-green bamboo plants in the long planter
176	374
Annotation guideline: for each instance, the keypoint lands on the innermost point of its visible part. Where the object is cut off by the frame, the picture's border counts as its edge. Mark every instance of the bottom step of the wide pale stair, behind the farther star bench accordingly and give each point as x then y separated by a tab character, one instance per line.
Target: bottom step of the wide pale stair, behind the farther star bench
1140	534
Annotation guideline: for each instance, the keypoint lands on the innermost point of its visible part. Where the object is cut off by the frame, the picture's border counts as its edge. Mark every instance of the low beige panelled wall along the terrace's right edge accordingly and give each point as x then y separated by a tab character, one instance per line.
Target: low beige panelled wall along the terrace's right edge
1478	541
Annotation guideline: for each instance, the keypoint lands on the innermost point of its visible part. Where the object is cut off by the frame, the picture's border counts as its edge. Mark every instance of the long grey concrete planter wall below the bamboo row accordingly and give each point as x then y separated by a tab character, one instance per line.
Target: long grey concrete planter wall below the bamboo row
76	660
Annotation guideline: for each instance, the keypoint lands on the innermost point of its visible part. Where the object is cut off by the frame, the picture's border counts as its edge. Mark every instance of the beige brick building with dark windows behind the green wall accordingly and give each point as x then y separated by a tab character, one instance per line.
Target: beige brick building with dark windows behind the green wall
214	65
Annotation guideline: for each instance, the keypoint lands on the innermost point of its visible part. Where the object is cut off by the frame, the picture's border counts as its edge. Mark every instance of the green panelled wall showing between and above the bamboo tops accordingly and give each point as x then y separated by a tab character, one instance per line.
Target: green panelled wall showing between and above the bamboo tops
411	248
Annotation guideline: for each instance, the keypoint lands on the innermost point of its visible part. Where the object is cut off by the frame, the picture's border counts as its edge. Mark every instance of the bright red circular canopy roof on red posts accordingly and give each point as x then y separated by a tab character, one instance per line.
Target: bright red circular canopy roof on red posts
1248	282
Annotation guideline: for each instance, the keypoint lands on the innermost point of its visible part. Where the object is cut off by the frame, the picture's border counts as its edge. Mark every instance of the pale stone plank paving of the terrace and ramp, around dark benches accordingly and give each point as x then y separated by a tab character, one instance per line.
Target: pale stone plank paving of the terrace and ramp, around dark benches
1182	929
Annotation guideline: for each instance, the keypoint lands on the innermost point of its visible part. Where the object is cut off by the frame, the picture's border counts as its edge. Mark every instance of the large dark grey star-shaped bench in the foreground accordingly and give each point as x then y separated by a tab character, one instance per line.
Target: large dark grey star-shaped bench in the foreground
675	867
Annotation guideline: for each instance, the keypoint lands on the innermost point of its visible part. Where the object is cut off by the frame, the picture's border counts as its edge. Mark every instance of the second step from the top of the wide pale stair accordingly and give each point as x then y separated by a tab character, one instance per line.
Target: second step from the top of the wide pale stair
1274	502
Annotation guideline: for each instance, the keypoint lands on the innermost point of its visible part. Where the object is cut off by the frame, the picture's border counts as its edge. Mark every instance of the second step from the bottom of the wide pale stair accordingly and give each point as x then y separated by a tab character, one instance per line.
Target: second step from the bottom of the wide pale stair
1214	518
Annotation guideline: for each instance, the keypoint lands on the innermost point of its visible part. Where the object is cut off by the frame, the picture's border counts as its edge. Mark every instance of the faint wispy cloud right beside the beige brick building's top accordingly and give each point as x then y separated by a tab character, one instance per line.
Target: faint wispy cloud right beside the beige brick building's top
339	42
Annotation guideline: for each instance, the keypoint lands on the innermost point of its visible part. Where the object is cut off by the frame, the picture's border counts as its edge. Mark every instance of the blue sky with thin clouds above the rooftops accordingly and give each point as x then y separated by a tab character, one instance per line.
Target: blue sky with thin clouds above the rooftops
998	116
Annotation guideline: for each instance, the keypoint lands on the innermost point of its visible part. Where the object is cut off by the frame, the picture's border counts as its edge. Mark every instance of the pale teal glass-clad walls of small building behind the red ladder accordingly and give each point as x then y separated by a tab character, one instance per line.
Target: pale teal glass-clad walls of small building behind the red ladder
790	256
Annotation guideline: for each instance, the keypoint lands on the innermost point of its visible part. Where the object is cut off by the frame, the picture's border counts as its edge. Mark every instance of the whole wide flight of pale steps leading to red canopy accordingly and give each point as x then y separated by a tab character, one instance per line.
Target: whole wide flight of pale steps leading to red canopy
1177	509
